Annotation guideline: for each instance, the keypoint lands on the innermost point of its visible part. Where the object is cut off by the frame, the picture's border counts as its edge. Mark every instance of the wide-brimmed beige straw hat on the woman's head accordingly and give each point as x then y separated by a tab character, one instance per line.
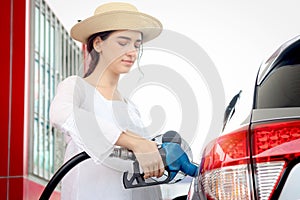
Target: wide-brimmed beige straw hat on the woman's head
117	16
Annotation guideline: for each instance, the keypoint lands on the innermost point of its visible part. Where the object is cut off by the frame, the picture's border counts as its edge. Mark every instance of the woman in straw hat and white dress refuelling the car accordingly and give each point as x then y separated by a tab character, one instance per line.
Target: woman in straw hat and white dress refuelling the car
95	117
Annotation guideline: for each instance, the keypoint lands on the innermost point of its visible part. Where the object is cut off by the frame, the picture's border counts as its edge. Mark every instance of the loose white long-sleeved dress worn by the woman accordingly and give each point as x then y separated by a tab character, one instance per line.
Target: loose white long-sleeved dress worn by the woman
93	124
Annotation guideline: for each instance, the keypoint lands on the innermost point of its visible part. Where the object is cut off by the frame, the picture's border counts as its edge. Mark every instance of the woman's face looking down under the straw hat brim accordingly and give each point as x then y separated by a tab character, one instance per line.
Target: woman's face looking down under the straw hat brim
120	50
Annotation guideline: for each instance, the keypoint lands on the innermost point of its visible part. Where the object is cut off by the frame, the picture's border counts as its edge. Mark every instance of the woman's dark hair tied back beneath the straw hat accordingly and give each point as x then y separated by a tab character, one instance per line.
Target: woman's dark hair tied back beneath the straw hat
94	54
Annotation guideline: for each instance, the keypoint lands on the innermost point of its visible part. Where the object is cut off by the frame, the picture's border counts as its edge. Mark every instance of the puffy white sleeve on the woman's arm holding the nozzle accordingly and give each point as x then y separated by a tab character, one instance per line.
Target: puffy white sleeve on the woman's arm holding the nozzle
96	136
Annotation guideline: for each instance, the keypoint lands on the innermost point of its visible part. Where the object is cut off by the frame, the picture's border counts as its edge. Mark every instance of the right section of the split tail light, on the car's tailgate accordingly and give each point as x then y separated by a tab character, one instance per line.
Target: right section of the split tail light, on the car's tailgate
275	145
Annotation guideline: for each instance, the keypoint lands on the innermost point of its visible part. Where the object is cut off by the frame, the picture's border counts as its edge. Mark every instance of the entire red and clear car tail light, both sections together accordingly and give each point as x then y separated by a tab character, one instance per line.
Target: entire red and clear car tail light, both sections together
226	168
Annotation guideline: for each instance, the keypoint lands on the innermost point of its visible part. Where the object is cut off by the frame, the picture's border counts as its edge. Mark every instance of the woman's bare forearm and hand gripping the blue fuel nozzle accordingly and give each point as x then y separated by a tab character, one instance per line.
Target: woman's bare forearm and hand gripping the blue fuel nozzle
145	151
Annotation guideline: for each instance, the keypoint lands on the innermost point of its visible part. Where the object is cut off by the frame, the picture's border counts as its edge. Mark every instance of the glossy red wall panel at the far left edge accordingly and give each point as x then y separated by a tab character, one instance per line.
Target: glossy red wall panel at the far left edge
14	182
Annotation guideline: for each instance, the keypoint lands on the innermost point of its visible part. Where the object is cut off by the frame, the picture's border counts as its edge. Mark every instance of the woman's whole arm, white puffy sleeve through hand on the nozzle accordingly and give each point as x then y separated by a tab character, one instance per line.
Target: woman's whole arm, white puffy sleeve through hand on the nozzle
95	135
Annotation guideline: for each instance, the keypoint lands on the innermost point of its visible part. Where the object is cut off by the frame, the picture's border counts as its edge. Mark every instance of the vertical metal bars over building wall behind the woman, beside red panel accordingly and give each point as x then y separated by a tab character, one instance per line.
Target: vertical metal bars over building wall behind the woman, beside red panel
54	56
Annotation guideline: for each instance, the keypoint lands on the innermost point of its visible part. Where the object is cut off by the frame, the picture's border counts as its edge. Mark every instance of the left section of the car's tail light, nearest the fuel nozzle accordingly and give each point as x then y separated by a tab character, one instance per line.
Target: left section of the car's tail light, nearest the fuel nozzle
224	169
